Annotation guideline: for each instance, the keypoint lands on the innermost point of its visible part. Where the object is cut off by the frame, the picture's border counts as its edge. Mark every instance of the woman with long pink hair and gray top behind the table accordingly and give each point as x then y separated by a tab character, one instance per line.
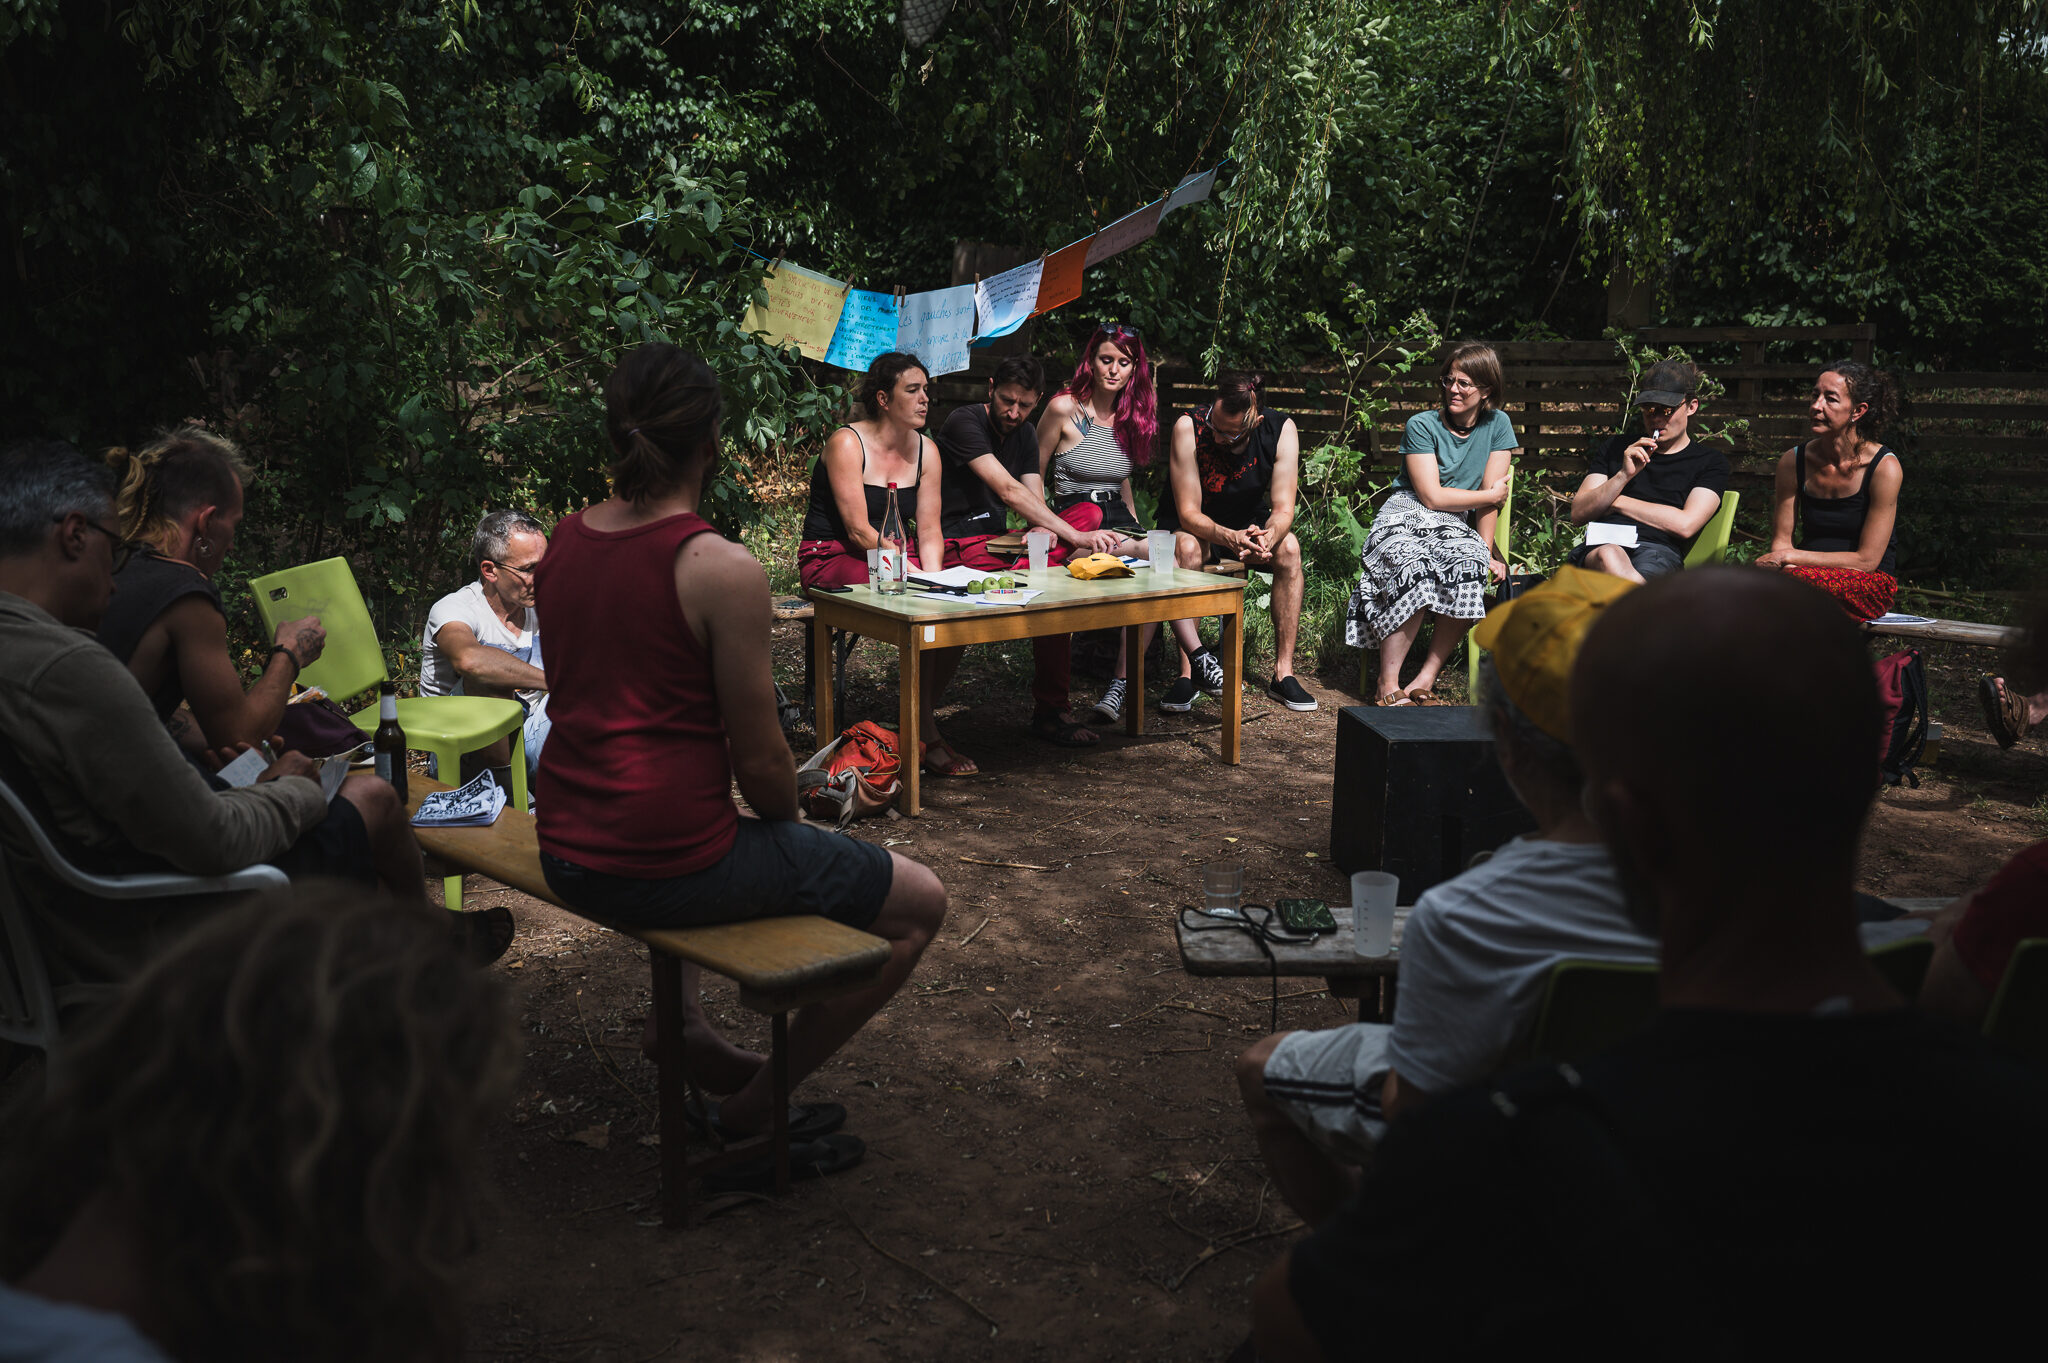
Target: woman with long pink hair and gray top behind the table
1093	435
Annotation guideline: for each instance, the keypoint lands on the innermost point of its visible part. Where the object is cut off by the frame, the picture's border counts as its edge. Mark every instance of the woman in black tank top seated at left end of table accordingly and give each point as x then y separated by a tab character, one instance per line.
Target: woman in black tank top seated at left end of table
849	496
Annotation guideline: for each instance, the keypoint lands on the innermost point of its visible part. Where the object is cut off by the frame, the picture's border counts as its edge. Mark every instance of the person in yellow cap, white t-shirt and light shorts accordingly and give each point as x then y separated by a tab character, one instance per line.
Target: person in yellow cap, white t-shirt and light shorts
1478	949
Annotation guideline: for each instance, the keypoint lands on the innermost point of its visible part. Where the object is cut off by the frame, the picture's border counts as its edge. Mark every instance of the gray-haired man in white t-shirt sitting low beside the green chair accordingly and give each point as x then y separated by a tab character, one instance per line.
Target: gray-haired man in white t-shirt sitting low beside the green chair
484	640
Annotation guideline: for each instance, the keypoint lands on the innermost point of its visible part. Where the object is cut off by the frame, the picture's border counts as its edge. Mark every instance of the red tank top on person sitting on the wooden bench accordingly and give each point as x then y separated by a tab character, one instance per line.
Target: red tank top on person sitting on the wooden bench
636	779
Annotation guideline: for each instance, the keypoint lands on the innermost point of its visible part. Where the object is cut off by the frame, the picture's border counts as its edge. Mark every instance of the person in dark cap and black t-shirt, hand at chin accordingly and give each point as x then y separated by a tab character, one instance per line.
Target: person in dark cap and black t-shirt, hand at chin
1662	484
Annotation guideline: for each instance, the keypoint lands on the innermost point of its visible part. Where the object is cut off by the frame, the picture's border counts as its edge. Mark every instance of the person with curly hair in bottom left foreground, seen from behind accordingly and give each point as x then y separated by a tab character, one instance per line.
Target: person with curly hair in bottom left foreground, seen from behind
265	1149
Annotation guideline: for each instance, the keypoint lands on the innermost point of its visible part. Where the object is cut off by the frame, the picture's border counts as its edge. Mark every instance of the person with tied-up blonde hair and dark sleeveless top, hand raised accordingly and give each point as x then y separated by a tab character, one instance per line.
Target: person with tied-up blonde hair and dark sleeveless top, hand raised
179	507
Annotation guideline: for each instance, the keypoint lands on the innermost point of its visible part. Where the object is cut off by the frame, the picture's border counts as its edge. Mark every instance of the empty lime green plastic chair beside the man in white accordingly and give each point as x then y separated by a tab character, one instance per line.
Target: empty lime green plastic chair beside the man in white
353	662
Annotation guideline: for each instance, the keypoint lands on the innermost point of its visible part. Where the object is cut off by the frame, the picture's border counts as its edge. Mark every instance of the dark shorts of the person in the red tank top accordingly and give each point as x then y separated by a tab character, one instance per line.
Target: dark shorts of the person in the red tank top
775	869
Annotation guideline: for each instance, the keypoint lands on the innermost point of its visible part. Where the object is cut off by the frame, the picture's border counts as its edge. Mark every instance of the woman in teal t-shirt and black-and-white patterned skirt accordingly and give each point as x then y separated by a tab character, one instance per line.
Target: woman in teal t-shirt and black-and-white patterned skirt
1431	545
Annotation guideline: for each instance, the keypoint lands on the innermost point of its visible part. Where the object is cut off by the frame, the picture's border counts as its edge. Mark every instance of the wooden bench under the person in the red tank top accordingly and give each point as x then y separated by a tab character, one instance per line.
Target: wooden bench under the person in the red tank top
777	963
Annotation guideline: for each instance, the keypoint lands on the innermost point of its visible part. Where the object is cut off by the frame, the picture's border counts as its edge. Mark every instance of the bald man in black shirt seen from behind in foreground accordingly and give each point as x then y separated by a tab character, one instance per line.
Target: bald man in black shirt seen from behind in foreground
1785	1139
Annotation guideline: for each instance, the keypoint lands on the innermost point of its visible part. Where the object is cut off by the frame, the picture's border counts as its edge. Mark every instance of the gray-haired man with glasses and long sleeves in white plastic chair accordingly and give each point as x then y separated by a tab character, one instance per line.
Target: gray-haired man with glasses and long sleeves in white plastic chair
81	740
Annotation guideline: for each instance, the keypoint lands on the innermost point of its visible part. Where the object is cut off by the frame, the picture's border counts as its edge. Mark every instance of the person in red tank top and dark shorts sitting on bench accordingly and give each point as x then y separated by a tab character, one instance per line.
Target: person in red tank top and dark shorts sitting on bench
663	699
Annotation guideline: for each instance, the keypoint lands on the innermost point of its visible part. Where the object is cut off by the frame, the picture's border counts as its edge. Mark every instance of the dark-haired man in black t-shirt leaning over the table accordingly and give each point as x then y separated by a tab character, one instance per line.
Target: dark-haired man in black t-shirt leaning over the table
990	457
